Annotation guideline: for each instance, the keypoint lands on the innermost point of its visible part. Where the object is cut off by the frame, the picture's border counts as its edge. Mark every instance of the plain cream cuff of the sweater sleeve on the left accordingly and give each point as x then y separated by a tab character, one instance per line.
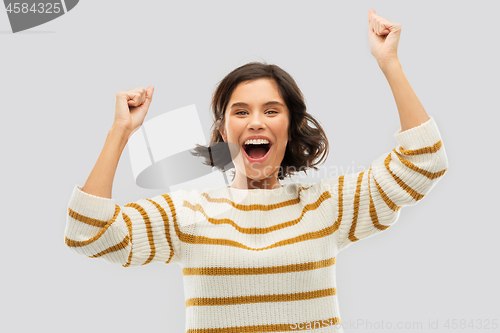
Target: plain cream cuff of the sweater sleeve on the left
91	206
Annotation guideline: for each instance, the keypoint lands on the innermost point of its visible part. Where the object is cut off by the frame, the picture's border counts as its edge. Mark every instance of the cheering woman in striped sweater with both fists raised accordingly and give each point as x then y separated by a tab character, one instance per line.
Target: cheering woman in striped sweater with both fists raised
258	256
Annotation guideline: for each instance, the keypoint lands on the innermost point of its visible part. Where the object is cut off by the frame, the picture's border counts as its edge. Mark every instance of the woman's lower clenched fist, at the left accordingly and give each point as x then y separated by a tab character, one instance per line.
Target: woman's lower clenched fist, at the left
131	108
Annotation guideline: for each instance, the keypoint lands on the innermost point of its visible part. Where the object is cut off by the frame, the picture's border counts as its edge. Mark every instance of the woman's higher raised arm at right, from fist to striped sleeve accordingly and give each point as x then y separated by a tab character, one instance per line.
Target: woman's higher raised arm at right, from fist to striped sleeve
370	201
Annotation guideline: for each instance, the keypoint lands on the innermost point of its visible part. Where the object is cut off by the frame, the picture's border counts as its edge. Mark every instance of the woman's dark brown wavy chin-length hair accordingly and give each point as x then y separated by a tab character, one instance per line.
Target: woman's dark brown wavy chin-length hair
308	145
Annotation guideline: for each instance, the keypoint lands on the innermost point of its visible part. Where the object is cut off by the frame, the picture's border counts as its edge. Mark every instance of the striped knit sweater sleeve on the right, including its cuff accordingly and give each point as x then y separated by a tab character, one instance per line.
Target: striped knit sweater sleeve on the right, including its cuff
370	201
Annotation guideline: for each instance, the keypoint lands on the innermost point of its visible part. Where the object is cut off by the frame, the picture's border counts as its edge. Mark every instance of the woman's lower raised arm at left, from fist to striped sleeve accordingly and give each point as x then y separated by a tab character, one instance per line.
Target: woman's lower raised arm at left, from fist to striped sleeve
134	234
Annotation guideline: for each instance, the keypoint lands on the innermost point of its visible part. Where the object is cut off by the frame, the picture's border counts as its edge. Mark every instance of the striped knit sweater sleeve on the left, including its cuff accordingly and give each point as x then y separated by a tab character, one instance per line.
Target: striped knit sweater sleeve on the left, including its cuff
135	234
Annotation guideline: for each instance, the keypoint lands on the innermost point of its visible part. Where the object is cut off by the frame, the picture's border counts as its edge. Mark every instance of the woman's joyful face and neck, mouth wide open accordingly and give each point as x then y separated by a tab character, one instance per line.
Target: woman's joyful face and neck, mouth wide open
256	110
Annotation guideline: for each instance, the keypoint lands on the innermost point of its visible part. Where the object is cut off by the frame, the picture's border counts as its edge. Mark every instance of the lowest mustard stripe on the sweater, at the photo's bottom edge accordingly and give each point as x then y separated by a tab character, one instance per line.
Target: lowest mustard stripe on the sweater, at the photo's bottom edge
293	327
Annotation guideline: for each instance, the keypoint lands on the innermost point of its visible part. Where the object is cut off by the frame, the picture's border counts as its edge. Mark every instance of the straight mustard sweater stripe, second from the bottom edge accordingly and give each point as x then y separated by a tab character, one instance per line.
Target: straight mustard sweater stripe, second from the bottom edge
214	301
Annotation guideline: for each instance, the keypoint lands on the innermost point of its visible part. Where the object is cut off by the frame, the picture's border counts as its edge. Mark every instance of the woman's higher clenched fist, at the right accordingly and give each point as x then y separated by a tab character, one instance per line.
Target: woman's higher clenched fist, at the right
383	36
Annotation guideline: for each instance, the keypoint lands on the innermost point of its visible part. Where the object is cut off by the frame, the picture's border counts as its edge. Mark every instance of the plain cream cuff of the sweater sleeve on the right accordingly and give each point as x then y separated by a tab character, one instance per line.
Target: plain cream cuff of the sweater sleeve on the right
423	135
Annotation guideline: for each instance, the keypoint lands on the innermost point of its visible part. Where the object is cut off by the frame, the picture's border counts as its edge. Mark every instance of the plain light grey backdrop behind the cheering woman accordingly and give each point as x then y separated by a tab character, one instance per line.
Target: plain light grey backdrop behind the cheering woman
57	88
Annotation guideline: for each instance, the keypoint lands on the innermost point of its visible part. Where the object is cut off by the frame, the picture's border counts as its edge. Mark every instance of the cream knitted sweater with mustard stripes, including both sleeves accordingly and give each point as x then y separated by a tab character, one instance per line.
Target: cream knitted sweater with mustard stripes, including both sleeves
260	260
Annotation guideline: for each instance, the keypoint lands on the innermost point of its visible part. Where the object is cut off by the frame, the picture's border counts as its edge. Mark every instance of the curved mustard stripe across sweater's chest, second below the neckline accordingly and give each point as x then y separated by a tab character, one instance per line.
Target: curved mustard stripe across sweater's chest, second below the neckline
253	231
